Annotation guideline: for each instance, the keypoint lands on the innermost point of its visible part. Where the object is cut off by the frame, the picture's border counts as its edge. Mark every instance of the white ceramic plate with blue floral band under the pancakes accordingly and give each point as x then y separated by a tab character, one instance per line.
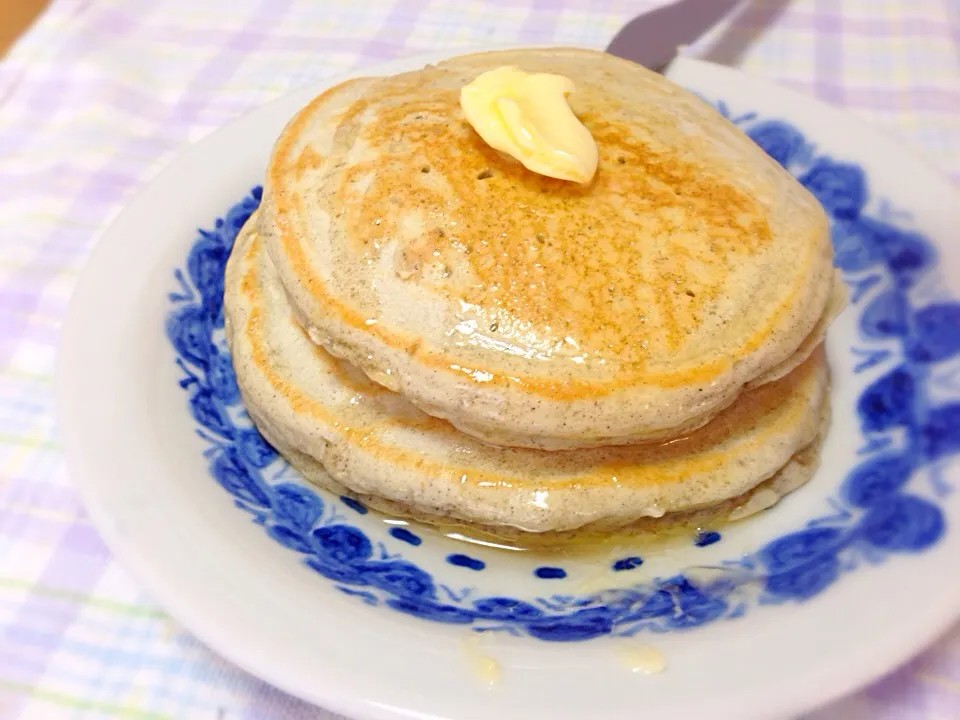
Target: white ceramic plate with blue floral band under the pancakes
836	585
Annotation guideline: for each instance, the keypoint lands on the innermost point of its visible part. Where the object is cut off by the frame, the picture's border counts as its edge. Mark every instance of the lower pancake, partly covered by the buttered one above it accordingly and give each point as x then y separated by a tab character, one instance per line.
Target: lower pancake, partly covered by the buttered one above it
328	417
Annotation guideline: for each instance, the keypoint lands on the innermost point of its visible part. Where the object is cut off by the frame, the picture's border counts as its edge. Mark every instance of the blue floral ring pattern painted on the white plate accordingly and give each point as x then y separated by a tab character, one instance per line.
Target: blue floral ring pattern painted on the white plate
874	514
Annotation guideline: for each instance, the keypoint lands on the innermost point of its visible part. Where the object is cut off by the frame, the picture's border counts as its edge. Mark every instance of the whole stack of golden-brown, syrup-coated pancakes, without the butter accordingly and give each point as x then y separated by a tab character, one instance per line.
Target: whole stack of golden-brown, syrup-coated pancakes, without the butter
419	321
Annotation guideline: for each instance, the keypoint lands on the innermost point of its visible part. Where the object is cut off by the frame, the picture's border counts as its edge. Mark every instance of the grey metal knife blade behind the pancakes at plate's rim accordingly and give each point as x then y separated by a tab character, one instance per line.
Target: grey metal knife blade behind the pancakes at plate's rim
652	39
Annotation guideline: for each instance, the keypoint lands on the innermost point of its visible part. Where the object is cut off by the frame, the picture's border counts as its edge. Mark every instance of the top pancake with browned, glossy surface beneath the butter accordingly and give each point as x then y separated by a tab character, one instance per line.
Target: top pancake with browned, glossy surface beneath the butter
533	312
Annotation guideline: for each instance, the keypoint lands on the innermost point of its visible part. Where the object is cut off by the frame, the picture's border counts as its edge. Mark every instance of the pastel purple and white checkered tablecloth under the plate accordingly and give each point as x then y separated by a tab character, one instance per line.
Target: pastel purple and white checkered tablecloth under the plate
100	94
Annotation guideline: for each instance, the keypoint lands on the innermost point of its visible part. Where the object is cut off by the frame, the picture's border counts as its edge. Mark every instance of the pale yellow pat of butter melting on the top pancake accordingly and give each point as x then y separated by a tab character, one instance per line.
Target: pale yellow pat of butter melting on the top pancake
526	116
